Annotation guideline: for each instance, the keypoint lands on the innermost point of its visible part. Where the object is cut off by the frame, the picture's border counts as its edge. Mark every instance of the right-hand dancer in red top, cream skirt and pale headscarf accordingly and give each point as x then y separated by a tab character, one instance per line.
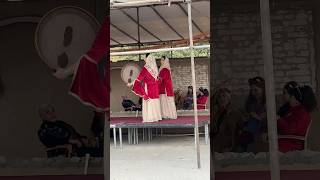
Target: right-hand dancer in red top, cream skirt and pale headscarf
168	107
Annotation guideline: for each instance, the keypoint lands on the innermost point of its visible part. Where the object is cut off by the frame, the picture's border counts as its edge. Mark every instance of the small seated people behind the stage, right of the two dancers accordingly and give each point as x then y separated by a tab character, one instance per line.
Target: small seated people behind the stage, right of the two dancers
184	101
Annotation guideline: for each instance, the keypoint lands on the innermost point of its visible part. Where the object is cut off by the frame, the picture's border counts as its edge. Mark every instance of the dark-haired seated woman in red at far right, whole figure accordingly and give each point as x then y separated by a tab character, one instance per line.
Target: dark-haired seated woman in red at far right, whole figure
295	121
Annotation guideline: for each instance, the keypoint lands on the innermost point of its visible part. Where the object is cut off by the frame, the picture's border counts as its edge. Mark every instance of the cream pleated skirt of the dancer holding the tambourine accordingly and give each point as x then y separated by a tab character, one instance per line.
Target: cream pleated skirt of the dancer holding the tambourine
151	110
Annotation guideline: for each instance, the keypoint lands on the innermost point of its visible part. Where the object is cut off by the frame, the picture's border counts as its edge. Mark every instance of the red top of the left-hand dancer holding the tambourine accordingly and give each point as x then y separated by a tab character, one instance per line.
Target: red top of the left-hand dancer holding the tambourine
146	79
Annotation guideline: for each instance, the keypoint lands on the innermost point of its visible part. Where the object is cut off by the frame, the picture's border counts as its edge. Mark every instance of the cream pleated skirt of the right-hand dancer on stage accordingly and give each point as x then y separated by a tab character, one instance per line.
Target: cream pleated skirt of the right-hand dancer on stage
168	107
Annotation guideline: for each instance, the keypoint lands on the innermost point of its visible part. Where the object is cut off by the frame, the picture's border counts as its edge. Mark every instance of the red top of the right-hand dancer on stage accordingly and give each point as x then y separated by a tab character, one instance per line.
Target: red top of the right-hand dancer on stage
165	84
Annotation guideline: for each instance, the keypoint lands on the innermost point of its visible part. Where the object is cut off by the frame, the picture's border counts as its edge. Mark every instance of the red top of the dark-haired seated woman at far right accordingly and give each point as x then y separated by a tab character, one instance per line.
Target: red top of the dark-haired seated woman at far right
295	123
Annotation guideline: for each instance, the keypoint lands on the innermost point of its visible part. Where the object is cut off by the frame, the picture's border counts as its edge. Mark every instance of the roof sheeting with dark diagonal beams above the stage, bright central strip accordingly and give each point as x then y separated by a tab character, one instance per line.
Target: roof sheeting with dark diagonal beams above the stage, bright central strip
158	23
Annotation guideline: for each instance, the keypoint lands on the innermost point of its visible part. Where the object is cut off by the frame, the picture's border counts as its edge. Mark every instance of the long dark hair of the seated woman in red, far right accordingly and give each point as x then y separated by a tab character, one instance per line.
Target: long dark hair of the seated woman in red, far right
303	94
